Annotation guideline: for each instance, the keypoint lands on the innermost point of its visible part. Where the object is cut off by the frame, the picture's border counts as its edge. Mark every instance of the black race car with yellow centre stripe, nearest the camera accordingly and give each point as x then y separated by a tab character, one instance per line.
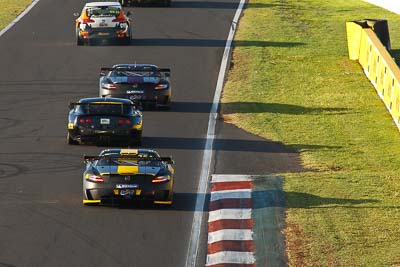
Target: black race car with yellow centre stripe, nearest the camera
123	175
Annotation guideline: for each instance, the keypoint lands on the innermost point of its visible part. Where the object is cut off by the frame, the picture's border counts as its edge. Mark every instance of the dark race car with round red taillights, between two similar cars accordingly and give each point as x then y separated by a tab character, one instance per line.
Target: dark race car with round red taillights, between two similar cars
93	120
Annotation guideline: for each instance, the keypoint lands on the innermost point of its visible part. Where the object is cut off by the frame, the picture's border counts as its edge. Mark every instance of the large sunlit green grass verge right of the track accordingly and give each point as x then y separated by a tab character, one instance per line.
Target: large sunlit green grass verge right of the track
292	81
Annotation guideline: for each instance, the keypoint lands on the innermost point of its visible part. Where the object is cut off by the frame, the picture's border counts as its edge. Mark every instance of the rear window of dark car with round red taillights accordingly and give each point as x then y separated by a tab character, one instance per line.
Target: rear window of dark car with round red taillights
105	109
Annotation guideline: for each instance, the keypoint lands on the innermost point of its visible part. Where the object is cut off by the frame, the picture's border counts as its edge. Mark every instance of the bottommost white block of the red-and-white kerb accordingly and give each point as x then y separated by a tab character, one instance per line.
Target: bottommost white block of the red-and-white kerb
230	257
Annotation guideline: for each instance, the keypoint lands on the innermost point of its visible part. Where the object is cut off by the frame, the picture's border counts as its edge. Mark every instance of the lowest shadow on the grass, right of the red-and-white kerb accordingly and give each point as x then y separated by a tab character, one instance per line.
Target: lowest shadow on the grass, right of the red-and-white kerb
305	201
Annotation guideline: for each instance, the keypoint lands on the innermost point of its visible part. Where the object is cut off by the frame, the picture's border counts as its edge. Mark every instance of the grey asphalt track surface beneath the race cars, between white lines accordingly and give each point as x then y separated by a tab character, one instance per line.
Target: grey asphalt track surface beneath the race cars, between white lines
42	220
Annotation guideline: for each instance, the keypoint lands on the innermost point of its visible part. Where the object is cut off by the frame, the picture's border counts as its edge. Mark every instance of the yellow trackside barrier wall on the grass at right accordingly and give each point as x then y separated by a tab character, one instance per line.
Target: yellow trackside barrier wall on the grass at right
378	65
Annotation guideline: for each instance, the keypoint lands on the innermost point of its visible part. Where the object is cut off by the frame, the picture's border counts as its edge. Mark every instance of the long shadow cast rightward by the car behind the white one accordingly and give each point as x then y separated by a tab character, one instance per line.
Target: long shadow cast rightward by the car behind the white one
255	107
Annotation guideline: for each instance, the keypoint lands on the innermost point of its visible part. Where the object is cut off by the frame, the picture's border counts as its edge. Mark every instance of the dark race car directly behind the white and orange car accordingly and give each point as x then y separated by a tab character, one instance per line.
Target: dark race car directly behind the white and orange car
144	84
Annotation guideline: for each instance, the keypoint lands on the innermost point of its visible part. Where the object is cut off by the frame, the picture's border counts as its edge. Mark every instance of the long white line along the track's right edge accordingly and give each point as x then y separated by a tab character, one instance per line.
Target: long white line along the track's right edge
194	241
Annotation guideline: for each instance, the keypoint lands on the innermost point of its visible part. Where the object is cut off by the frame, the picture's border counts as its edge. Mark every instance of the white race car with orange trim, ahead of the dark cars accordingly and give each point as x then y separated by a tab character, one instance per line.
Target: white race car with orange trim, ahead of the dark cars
103	20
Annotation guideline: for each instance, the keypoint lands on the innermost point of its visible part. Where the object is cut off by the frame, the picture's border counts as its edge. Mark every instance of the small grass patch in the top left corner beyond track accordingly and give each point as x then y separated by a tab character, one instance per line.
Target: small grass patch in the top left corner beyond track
10	9
